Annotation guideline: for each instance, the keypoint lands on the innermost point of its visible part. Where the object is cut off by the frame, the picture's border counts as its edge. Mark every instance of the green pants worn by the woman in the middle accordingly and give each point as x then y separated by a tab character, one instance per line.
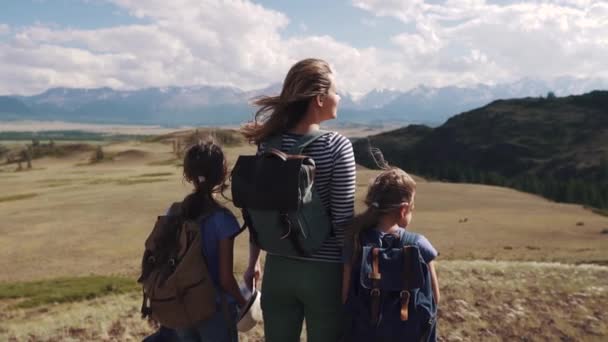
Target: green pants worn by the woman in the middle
294	290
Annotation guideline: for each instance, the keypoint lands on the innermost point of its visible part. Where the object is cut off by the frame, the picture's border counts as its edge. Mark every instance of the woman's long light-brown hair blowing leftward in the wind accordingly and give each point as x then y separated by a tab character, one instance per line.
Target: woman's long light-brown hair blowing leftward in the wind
305	80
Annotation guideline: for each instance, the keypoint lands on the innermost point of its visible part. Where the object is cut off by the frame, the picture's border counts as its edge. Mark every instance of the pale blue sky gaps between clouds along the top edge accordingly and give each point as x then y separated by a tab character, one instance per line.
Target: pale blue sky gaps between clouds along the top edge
337	18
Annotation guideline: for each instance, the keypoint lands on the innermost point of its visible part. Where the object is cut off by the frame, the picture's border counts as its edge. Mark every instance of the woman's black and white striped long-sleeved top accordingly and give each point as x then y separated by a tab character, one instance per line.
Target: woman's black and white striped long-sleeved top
335	183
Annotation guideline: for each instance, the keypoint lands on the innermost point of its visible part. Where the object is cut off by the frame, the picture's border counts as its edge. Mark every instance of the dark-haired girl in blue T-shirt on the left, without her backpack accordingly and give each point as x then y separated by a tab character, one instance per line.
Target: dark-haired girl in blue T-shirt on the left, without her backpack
205	167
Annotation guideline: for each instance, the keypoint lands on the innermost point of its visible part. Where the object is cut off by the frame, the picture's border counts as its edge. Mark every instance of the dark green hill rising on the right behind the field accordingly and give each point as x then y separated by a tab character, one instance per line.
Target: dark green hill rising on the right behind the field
556	147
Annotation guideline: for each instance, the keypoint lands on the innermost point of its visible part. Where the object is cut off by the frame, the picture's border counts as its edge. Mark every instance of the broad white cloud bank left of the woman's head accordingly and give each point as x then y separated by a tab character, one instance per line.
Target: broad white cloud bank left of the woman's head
187	42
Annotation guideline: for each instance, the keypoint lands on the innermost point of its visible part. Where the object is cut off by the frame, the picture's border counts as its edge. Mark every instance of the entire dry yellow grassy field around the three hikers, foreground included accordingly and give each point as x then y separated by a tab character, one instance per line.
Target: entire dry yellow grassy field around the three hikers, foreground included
506	256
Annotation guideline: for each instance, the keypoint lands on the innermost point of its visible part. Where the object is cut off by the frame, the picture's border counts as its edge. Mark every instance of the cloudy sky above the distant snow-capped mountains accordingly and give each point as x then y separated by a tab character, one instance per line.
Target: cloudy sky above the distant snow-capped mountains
370	44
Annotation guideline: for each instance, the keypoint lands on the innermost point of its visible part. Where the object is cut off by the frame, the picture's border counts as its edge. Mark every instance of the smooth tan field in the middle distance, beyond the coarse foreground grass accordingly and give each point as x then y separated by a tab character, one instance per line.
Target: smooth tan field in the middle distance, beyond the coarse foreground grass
102	222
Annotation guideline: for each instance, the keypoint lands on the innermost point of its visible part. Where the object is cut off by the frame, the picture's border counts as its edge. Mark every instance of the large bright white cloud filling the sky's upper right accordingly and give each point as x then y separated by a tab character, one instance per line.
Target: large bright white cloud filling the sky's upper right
473	40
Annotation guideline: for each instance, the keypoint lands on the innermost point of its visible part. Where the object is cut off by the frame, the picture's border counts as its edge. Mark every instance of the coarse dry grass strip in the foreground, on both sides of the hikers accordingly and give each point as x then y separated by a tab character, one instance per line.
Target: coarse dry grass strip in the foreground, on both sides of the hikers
481	301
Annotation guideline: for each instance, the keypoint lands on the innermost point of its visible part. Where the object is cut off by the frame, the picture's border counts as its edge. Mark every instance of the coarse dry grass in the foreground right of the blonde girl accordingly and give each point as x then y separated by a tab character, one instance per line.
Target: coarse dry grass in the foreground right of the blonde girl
497	301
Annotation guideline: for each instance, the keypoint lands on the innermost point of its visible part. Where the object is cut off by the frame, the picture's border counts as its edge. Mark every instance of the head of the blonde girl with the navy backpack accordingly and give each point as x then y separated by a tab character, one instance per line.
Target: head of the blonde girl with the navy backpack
391	195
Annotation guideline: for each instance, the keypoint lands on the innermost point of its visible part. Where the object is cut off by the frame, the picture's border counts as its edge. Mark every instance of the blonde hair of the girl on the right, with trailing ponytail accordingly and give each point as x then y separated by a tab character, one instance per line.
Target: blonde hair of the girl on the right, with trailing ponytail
388	192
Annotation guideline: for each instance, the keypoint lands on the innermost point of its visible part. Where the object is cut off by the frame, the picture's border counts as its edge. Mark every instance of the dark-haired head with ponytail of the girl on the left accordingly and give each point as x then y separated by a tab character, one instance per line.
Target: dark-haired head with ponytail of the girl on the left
204	167
